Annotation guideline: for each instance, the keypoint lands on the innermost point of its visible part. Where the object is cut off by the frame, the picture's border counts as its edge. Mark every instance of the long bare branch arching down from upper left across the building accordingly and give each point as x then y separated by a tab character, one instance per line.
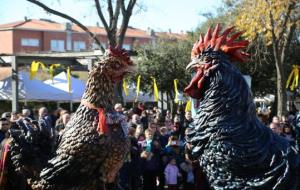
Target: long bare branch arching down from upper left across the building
48	9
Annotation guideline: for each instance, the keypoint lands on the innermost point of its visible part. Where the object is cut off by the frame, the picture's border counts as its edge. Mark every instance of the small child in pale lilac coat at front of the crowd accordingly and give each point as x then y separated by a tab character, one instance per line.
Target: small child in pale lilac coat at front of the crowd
172	173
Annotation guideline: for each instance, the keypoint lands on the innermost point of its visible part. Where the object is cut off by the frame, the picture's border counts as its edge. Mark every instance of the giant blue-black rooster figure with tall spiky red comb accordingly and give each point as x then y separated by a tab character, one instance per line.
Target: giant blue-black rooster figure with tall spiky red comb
234	149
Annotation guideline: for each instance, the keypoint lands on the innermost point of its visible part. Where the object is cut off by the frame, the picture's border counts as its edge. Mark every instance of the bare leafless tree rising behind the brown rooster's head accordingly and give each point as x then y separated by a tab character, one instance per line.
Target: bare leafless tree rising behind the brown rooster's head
115	36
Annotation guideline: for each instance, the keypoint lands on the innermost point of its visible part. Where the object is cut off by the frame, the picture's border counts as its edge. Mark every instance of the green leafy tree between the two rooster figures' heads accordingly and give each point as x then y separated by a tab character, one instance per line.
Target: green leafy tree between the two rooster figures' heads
165	61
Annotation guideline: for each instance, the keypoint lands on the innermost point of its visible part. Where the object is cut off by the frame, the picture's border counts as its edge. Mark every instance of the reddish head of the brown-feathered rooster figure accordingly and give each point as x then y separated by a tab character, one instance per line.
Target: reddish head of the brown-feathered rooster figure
115	64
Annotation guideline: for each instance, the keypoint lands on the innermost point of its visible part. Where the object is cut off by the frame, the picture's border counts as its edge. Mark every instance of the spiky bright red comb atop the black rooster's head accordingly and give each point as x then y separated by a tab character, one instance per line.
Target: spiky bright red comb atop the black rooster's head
223	43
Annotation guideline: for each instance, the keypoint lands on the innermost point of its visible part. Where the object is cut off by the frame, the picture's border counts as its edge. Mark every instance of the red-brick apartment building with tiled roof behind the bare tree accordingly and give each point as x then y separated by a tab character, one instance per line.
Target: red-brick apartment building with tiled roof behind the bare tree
33	35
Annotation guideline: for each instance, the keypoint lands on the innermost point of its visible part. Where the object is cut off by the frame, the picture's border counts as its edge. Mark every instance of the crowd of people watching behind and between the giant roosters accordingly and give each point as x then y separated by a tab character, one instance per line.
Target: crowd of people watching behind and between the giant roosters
157	158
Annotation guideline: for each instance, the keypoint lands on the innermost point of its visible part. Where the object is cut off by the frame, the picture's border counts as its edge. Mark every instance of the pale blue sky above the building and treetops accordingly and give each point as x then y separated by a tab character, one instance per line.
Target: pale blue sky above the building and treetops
160	15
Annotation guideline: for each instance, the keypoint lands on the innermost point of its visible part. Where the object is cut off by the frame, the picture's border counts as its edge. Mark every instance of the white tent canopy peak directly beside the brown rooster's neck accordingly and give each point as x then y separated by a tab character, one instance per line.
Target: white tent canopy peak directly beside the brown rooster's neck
60	82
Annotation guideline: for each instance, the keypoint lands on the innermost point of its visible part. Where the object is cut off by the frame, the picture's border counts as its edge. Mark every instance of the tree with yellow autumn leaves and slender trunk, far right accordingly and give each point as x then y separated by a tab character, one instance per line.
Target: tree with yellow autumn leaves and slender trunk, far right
275	22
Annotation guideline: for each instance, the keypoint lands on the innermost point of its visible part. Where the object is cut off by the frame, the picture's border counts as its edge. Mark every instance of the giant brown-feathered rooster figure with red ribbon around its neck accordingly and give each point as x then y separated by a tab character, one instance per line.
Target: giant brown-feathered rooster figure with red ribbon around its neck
93	145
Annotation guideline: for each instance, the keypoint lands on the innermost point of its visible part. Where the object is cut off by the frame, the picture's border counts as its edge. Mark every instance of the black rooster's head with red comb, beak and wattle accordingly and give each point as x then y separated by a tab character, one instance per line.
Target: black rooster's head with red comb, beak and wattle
207	53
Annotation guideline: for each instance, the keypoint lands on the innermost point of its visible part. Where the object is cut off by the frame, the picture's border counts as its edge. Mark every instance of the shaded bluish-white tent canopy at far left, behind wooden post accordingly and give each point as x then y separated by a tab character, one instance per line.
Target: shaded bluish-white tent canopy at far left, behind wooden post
32	90
